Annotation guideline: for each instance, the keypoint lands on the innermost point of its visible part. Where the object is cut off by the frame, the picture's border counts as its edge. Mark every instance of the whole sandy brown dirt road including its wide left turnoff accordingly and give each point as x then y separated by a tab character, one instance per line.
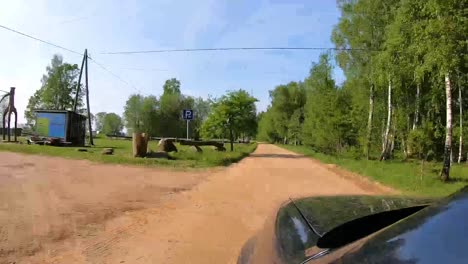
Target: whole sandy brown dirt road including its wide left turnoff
80	212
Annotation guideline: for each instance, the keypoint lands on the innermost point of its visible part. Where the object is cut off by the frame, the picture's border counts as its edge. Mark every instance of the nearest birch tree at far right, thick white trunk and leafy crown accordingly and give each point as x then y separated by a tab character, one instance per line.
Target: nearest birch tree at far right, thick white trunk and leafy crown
434	33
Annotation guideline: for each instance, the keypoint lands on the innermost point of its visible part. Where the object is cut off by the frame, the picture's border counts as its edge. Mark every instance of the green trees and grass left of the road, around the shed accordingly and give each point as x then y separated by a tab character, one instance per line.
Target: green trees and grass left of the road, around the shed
231	116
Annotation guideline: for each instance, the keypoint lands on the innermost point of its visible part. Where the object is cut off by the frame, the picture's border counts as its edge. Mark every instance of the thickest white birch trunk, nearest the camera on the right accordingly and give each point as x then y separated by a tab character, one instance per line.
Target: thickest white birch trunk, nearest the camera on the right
445	173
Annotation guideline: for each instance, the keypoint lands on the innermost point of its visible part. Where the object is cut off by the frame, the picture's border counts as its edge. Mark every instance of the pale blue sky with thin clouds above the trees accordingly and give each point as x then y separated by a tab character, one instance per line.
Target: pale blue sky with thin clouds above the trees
105	25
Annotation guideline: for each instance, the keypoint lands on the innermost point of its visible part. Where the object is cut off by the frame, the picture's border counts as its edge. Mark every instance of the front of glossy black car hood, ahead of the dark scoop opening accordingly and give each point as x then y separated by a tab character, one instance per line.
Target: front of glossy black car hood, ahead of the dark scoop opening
287	238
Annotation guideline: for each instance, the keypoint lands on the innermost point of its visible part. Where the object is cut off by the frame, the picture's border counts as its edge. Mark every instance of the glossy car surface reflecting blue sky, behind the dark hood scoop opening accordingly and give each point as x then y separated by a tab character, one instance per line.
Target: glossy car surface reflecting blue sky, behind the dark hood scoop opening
437	234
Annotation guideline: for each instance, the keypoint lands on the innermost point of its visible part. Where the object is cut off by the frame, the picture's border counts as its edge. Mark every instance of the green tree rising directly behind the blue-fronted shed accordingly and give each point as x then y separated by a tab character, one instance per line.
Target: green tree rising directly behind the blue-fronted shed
58	89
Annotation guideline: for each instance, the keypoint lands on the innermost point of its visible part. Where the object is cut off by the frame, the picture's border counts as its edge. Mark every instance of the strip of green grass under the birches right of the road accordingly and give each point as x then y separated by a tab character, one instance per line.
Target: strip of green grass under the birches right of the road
409	177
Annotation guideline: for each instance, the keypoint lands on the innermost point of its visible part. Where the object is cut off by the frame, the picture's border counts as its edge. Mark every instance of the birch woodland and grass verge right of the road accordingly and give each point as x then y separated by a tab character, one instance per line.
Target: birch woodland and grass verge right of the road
401	104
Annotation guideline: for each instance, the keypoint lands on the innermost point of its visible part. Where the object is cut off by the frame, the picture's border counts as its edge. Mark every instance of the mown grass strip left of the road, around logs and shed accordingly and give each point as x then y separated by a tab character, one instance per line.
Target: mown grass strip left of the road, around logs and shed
184	158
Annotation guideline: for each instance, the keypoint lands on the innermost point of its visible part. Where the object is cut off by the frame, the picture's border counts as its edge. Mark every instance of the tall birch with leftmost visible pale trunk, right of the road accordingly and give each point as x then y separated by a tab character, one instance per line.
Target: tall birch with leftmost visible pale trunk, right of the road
359	34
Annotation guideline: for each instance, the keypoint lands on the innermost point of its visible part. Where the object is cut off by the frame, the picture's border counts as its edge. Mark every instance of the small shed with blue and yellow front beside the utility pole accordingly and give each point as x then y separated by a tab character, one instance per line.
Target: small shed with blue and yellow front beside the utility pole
69	126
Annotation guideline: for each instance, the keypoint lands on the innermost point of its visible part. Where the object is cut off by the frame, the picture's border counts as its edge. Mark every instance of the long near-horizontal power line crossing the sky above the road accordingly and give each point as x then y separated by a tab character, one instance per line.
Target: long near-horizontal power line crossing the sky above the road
230	49
